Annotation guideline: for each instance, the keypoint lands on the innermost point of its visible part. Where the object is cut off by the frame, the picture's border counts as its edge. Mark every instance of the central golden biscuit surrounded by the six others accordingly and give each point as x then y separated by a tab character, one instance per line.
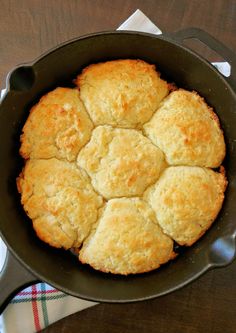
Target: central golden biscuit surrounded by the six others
121	162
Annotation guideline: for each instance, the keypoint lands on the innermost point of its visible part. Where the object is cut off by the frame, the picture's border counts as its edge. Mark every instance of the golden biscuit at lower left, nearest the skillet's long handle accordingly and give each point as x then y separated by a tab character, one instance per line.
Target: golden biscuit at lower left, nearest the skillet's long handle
59	199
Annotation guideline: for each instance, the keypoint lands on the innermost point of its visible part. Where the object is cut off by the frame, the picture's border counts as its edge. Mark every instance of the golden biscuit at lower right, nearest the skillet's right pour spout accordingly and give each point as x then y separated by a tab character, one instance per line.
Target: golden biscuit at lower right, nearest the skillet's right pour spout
186	201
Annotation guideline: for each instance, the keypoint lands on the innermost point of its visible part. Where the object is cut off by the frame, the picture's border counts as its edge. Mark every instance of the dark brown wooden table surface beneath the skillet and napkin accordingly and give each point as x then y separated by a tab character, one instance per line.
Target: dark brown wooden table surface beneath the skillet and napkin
30	27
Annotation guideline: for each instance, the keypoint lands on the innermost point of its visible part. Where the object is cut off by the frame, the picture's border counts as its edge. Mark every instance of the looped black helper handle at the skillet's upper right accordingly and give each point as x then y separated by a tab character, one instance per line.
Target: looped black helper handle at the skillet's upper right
212	43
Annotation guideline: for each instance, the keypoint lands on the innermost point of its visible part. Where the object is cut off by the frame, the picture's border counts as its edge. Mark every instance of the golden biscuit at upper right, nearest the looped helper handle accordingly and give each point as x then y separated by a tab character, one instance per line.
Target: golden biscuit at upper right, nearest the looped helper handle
187	131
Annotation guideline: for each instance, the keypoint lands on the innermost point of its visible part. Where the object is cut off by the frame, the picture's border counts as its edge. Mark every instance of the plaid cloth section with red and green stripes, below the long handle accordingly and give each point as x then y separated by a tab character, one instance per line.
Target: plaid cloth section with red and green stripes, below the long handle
38	306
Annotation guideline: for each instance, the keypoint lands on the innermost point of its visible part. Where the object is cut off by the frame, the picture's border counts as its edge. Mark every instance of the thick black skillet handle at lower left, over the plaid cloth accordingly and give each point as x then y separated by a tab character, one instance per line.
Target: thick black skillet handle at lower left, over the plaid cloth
13	278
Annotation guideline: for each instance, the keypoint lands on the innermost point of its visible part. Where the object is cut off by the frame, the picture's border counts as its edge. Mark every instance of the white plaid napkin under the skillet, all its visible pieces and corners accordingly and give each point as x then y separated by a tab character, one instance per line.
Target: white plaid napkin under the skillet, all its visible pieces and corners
41	305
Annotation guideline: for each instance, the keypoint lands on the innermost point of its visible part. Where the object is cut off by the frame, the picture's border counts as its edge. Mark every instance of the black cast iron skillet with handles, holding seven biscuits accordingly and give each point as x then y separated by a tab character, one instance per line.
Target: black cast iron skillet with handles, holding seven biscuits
29	259
